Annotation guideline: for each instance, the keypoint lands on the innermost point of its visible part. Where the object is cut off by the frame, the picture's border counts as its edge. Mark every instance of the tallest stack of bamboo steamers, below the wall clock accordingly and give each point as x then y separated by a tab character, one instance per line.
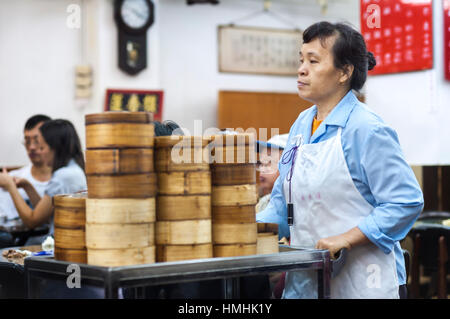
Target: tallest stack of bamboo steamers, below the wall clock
120	208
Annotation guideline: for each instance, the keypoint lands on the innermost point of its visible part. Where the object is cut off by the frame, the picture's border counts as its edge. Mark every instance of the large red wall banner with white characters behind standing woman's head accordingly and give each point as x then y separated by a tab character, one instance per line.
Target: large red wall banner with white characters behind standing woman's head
399	33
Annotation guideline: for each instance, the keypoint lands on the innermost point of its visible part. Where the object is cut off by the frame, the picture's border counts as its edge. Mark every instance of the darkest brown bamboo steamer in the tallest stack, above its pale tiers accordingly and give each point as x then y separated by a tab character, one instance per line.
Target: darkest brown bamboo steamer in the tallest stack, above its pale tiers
122	186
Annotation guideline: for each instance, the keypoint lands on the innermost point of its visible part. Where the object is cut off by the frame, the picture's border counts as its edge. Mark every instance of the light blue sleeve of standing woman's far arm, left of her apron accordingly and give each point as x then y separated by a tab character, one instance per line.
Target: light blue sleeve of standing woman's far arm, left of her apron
275	212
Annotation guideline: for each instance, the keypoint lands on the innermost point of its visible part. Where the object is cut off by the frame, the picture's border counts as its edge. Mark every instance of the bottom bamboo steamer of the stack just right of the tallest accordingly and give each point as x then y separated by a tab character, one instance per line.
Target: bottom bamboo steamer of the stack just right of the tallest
165	253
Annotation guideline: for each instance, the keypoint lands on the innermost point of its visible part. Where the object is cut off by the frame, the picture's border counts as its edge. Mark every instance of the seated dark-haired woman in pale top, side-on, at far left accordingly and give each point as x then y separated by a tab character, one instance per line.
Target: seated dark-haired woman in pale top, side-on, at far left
60	148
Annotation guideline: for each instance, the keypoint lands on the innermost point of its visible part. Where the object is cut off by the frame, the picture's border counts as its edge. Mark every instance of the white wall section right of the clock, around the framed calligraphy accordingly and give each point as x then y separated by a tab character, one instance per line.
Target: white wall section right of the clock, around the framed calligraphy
189	57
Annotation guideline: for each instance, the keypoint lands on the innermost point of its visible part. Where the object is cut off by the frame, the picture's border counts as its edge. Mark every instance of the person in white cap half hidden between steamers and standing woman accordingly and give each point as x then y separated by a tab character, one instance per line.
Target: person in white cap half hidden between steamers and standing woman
269	155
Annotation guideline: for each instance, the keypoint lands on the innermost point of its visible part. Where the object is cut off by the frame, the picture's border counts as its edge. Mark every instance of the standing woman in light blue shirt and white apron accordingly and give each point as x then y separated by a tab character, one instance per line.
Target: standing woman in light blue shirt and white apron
348	185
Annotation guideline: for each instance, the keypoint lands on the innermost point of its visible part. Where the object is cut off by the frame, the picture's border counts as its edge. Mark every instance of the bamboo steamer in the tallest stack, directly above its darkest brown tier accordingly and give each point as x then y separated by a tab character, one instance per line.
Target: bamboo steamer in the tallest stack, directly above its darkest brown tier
119	161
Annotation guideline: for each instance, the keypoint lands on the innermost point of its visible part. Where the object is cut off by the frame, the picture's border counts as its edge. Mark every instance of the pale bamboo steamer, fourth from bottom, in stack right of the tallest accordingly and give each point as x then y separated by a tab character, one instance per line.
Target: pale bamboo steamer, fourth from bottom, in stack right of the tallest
184	183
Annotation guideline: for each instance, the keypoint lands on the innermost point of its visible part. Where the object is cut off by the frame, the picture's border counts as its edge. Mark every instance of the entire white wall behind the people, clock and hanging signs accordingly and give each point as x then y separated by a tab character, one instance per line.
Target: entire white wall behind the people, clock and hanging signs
38	54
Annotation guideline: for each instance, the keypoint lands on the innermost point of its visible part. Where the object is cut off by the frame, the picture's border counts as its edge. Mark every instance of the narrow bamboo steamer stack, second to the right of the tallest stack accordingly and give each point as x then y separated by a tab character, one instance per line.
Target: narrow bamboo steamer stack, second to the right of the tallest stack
234	195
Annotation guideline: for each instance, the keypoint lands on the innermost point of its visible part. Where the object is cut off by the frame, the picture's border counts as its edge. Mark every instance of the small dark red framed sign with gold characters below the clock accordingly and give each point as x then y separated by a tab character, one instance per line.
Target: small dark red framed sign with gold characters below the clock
135	101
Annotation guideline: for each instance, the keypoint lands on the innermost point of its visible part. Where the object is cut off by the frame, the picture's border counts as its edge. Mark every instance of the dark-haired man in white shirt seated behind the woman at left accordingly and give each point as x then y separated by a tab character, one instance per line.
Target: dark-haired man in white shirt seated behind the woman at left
37	173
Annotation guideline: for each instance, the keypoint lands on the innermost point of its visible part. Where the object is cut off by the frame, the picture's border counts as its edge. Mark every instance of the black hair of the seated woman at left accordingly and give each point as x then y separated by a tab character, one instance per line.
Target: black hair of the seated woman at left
63	139
